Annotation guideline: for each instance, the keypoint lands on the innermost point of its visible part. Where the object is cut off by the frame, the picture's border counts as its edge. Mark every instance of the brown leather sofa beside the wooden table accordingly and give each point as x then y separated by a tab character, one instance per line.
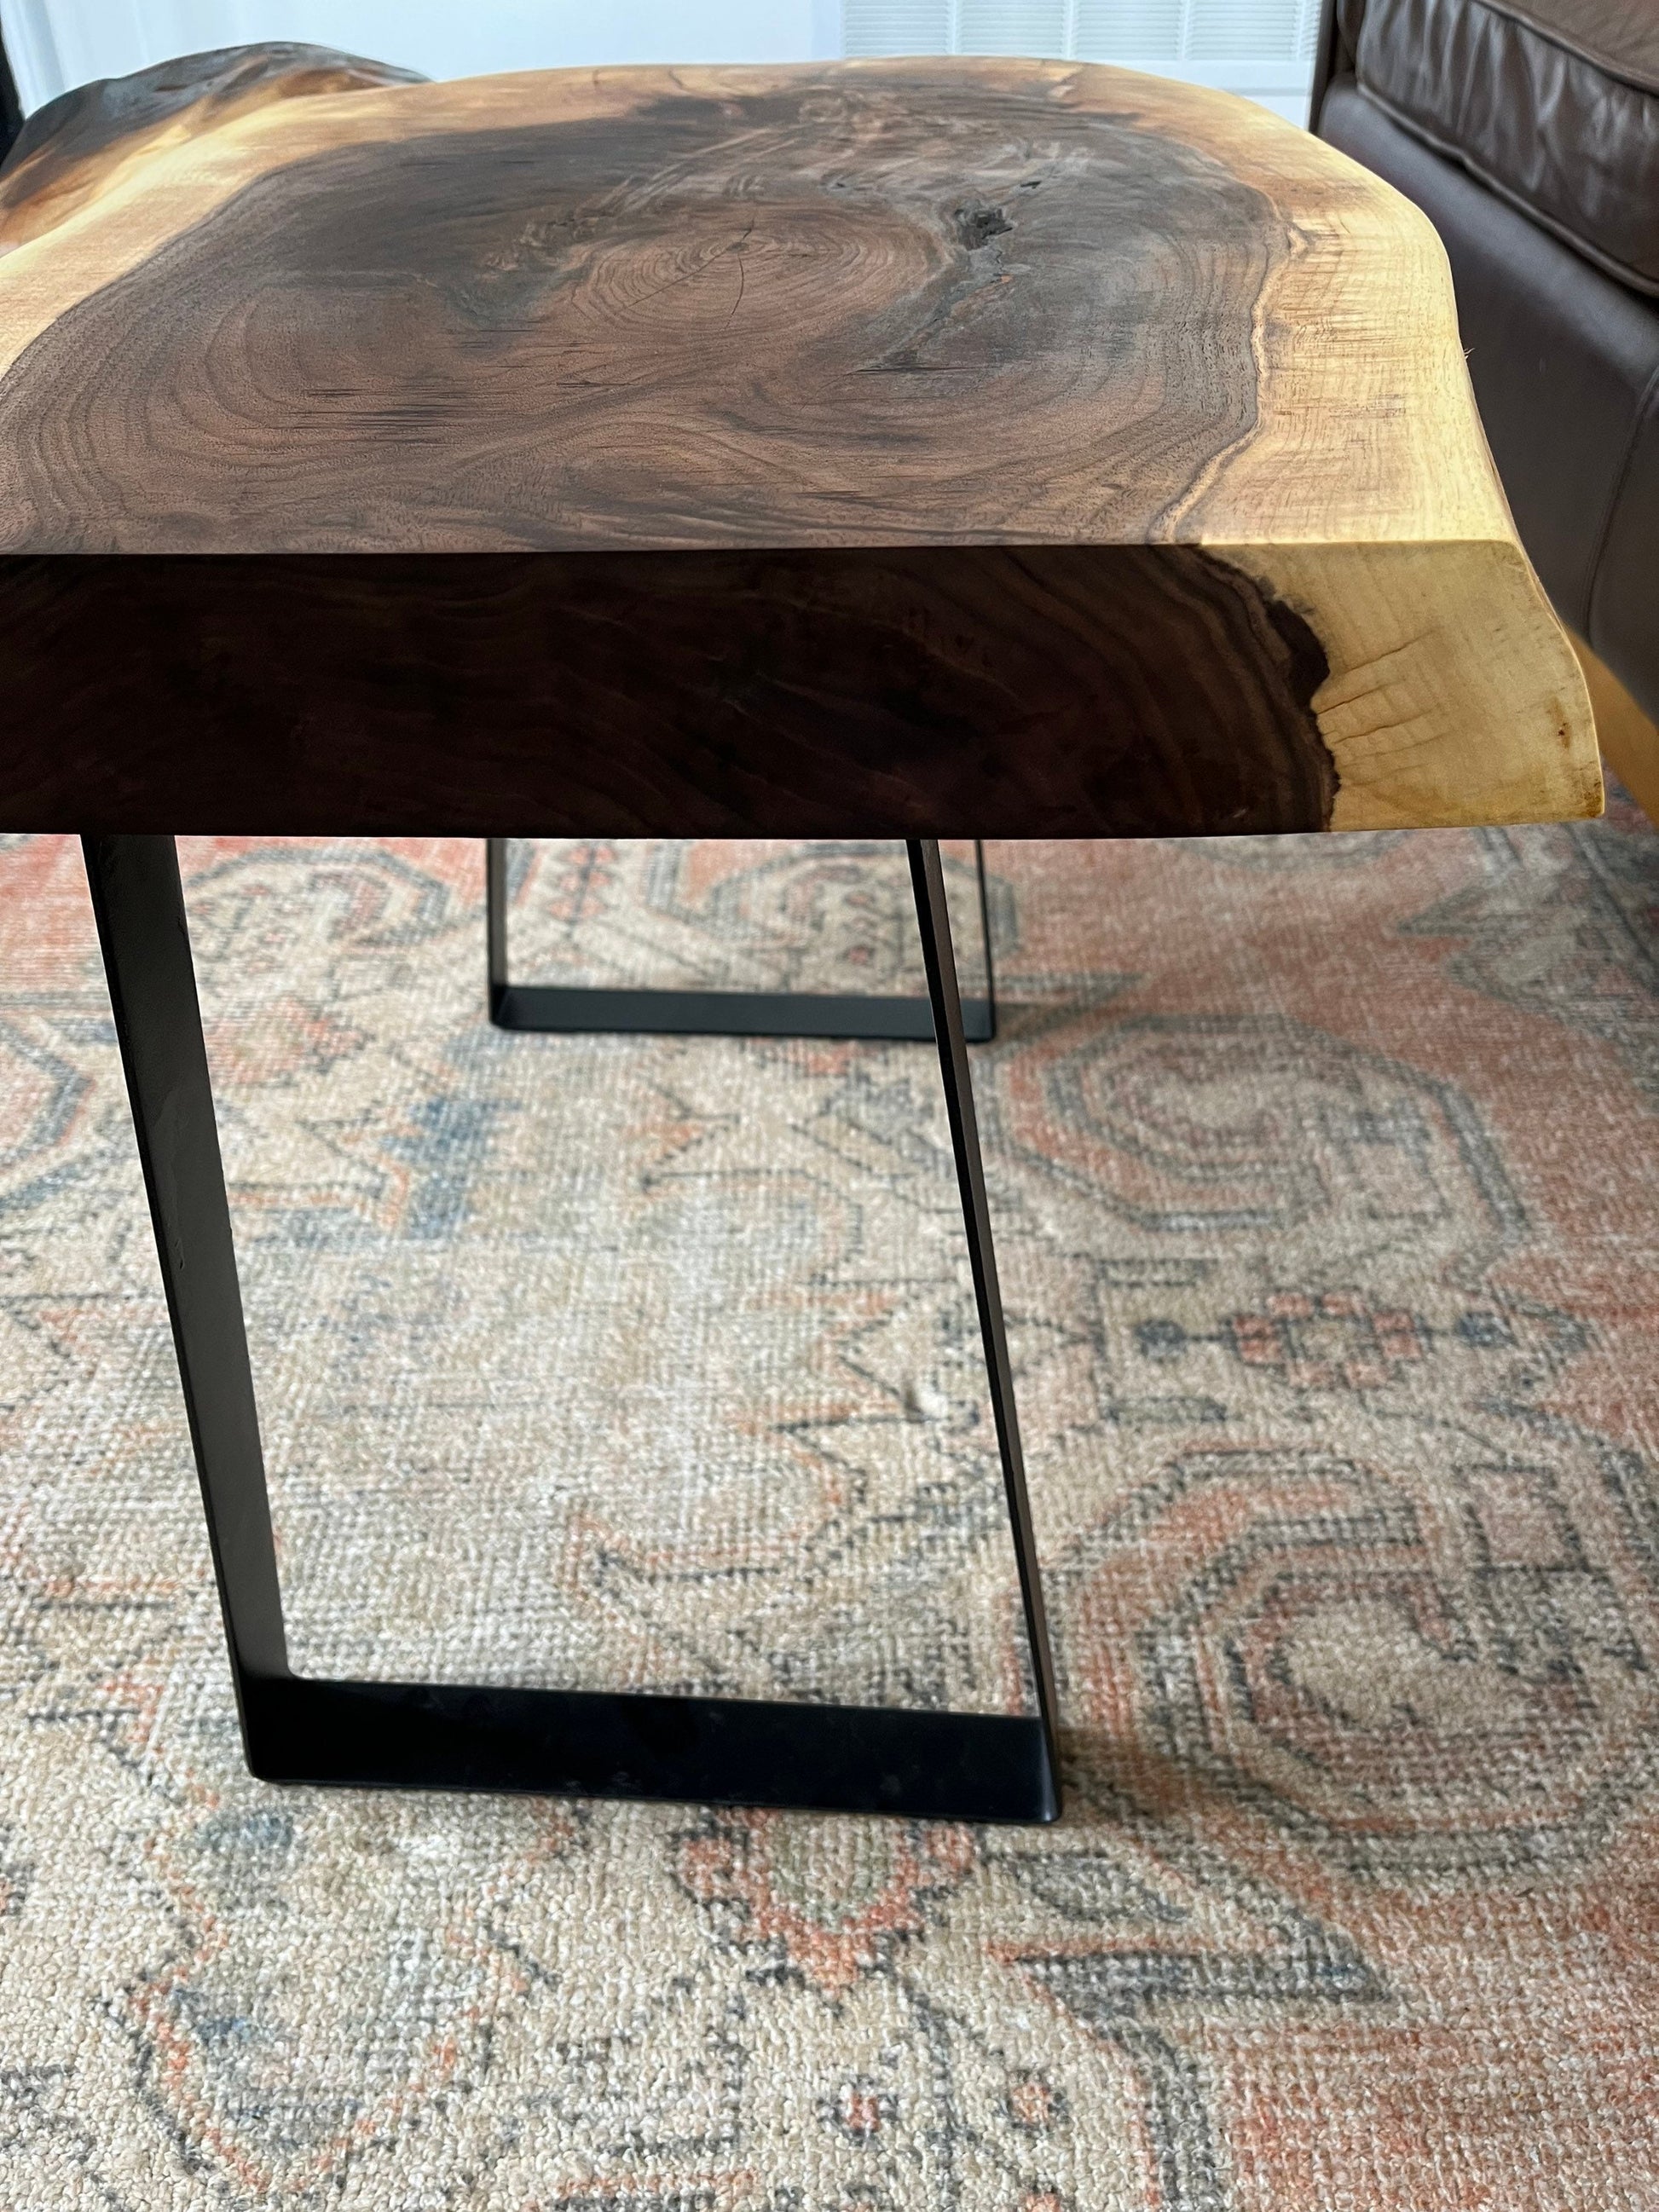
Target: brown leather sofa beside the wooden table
1530	134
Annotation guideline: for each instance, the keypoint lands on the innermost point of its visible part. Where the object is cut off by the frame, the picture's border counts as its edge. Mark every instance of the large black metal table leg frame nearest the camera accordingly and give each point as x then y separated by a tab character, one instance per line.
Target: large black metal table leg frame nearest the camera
298	1729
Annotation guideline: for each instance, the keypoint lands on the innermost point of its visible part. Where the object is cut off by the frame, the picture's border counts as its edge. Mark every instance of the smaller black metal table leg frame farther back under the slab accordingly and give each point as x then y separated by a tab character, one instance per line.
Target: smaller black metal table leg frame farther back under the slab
716	1014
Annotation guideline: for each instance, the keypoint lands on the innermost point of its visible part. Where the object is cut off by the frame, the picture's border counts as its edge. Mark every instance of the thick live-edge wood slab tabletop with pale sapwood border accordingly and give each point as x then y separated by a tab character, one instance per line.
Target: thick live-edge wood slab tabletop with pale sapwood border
919	448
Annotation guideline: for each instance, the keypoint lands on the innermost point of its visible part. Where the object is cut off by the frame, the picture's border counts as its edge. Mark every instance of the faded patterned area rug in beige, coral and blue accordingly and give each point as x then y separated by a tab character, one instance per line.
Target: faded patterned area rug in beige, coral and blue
1328	1213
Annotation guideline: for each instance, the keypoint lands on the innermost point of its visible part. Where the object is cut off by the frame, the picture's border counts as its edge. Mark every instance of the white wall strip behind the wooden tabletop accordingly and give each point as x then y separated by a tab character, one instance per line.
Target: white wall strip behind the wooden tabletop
1260	48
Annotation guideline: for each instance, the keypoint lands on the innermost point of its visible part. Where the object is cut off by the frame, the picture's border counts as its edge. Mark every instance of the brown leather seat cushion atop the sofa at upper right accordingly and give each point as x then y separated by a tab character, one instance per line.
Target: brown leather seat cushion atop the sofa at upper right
1552	103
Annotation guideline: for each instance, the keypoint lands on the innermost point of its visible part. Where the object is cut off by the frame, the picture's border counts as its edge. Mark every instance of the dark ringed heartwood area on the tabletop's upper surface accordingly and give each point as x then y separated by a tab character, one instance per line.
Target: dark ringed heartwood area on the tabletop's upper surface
654	331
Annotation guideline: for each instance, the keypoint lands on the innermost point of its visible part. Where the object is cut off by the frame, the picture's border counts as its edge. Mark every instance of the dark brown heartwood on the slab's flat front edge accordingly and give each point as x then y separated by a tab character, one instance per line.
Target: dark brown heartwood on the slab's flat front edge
1050	691
